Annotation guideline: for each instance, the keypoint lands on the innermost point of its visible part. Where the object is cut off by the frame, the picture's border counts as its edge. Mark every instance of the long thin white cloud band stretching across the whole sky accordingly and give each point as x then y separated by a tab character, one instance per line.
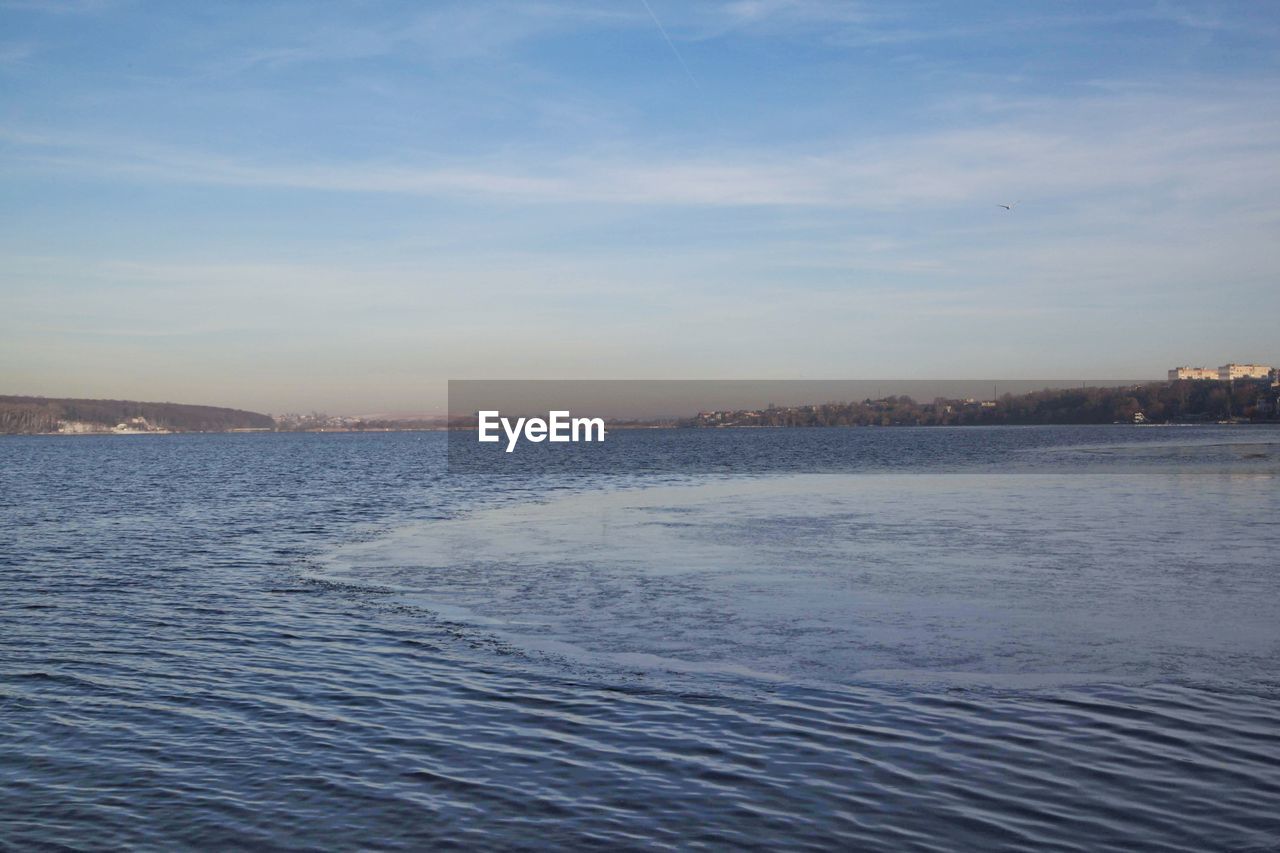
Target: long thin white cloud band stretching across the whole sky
1217	148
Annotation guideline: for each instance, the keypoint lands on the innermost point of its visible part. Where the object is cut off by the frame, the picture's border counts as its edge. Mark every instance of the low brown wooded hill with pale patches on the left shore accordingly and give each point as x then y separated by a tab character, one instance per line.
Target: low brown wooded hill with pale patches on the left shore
29	416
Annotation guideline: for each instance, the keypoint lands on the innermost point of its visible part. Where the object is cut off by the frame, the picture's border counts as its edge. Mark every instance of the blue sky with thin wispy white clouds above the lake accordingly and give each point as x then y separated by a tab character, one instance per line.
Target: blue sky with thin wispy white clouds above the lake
339	207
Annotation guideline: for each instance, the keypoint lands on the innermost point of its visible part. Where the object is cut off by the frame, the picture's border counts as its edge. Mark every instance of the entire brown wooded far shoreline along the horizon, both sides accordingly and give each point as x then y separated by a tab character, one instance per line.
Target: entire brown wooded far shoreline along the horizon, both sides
1185	402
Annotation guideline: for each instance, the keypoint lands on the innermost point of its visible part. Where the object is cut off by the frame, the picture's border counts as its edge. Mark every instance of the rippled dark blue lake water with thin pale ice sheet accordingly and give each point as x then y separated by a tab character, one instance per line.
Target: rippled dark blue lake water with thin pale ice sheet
1050	638
